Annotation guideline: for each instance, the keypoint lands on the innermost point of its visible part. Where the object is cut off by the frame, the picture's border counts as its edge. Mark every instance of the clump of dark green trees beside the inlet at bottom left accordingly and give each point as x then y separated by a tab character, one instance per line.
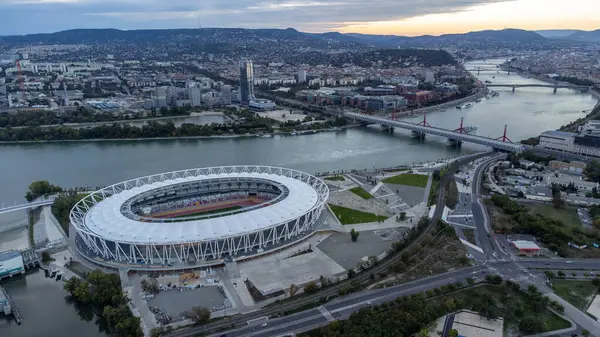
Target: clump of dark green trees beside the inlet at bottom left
103	292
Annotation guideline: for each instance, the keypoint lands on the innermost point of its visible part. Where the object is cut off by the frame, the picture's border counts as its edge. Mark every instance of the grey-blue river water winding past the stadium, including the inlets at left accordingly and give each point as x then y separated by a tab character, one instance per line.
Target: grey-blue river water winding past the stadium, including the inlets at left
528	112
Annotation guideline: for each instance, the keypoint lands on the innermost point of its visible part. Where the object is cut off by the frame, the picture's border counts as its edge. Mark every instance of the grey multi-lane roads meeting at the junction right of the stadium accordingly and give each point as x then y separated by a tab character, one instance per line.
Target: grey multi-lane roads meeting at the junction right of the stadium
525	271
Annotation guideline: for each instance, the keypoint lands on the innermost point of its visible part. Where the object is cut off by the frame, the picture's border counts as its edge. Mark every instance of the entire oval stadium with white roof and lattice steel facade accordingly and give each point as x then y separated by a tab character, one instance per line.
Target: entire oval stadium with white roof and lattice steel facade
199	216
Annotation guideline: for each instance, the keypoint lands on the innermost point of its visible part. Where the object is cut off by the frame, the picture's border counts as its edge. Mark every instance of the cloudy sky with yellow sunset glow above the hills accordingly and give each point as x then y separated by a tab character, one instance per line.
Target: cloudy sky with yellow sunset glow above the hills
405	17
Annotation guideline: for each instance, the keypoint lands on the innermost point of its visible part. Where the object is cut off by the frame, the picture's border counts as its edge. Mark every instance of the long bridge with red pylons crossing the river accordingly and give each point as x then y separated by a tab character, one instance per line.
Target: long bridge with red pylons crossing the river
502	143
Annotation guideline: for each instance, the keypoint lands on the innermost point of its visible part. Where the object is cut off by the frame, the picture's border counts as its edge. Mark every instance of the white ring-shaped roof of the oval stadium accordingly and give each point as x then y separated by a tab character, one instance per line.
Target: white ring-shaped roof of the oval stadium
106	220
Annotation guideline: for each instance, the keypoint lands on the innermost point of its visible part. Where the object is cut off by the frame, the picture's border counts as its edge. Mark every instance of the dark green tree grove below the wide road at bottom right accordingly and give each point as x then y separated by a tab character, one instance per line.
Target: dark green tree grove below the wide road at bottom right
411	315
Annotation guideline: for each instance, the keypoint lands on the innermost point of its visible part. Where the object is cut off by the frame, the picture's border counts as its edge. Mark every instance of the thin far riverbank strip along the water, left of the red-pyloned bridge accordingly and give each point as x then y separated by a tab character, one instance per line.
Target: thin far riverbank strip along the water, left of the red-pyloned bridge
265	135
